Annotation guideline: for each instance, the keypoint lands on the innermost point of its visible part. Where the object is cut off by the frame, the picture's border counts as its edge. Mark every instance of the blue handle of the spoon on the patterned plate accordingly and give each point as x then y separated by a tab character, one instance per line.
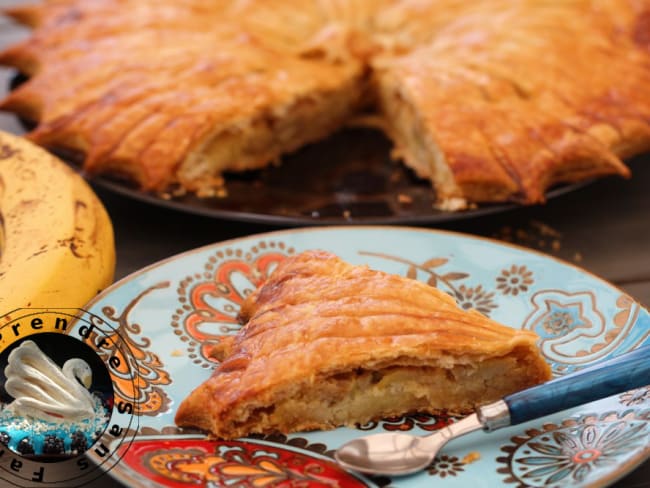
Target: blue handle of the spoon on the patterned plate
616	375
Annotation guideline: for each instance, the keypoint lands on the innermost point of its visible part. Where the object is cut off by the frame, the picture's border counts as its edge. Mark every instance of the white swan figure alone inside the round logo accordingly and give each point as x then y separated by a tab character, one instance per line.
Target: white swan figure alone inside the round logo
43	390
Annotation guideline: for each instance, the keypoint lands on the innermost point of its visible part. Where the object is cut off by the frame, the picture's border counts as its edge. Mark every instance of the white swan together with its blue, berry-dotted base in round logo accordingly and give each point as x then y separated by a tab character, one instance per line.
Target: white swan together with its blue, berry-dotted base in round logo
52	411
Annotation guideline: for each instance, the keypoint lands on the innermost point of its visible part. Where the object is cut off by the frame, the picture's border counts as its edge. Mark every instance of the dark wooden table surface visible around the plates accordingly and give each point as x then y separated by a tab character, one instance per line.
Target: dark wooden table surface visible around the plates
603	228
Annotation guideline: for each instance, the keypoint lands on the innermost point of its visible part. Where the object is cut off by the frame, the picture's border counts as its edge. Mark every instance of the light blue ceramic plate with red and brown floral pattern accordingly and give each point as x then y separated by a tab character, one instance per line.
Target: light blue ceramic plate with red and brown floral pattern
169	312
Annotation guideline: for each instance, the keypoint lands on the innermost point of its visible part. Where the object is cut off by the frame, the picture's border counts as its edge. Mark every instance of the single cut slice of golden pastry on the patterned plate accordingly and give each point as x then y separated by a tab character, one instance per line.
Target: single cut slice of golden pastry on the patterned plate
327	344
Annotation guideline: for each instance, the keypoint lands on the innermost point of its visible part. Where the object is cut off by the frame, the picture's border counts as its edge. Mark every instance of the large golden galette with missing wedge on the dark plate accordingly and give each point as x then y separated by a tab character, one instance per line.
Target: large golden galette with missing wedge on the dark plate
490	100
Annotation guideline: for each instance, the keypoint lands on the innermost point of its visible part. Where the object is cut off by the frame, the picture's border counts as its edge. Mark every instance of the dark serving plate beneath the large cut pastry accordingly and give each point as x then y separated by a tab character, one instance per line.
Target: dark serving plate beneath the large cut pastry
349	178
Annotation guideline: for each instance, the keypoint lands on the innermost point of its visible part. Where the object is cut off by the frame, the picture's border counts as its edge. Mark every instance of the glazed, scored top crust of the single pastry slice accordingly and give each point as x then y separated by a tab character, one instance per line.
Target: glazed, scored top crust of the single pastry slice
316	307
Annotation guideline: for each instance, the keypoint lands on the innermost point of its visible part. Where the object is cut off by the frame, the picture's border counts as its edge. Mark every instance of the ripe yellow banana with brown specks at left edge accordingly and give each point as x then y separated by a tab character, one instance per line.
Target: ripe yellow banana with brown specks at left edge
56	240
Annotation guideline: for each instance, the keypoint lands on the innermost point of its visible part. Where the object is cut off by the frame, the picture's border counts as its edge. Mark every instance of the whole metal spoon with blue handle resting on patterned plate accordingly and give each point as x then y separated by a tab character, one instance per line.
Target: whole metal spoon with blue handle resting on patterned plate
400	454
